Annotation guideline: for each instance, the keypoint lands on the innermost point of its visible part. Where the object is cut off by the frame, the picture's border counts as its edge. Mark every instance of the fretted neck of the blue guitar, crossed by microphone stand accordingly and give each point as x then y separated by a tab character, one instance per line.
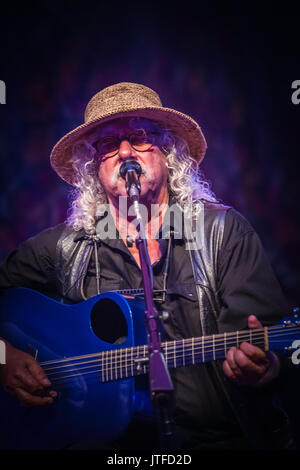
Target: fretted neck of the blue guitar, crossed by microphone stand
129	362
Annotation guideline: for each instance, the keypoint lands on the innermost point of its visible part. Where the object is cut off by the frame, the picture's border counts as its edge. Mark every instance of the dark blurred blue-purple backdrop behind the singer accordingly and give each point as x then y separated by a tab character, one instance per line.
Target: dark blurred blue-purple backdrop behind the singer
231	68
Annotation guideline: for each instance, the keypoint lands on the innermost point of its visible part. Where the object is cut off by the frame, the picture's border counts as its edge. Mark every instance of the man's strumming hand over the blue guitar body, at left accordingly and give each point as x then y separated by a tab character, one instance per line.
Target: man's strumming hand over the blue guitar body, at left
23	377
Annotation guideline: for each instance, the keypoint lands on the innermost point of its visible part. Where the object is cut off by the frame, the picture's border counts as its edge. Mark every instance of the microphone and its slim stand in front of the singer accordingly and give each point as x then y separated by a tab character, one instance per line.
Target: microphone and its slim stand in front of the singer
161	387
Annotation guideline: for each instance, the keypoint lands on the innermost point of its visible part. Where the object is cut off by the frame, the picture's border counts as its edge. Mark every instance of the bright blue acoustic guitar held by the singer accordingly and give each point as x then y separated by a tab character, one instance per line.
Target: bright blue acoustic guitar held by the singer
93	352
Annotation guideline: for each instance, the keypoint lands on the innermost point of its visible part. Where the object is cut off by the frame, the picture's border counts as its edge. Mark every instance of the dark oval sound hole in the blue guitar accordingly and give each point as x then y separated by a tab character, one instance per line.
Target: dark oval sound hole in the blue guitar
108	322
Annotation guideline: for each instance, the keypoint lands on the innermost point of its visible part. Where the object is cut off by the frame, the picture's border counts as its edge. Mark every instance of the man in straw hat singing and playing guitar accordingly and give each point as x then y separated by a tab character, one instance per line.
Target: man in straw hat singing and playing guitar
223	284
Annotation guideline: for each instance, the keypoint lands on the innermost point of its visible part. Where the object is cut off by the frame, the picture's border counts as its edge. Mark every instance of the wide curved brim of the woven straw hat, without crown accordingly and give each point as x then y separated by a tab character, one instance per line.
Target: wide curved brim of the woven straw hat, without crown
180	123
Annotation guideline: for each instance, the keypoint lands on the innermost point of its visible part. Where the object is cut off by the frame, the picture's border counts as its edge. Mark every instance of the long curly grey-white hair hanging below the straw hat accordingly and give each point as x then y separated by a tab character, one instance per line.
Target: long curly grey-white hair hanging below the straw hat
186	183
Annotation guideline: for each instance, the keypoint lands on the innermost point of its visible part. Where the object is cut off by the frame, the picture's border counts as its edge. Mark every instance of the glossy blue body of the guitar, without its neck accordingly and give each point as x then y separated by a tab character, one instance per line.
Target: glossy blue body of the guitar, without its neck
49	330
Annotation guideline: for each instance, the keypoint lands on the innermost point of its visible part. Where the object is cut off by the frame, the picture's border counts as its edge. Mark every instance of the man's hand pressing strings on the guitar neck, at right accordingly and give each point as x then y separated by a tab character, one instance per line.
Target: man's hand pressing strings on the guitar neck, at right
248	364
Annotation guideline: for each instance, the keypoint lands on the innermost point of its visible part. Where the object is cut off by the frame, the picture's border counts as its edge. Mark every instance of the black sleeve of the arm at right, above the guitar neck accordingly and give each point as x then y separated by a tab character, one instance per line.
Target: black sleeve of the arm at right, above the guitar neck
246	281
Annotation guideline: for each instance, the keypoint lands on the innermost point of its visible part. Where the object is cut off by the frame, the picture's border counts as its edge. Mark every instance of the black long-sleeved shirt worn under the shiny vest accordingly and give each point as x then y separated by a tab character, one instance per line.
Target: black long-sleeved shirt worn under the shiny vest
246	285
